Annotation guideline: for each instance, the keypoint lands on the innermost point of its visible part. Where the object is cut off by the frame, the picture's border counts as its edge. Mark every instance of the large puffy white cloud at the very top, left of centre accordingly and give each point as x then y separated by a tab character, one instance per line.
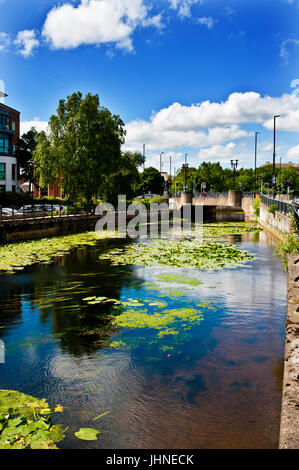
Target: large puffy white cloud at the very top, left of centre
97	22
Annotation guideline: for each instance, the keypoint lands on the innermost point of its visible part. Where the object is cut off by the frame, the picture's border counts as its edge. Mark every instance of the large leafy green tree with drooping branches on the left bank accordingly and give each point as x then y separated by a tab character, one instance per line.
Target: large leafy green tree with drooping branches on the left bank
81	148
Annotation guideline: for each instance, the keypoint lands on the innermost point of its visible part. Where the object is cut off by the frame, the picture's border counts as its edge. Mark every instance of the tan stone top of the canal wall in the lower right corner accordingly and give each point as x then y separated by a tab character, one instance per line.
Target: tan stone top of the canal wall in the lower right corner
289	427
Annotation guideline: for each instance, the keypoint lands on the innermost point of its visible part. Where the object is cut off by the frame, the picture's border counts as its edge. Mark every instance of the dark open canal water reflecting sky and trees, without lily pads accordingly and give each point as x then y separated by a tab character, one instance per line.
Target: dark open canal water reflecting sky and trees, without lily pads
216	385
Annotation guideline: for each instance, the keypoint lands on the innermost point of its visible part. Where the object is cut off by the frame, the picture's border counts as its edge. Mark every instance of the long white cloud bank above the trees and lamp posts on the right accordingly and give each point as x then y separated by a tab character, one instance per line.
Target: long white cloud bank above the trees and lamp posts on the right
212	123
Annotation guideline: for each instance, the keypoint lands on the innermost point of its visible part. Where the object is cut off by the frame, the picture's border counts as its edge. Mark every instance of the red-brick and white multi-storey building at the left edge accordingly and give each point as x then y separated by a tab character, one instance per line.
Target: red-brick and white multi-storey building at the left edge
9	135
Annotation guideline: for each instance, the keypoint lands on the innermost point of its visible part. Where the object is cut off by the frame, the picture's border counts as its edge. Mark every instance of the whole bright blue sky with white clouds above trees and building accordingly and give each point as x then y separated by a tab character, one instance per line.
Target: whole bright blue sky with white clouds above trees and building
186	76
